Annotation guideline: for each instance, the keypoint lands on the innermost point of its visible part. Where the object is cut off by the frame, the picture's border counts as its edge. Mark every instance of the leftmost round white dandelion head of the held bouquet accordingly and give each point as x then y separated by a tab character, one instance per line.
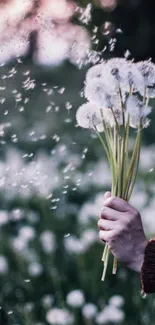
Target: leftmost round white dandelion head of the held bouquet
89	116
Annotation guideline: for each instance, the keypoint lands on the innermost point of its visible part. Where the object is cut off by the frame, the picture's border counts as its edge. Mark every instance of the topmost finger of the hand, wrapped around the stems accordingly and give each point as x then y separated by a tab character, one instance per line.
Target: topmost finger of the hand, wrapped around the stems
117	203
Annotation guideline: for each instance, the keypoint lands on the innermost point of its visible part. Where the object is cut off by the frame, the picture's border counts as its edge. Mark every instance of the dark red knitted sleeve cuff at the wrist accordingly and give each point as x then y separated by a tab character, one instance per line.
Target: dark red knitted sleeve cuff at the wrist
148	268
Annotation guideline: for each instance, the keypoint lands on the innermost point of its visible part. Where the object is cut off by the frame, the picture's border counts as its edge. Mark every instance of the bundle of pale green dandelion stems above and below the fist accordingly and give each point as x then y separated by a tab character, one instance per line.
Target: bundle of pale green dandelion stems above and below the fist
123	164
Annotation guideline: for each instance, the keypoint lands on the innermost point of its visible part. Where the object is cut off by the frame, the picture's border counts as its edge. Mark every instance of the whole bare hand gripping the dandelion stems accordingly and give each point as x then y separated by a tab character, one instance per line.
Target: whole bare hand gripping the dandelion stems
121	228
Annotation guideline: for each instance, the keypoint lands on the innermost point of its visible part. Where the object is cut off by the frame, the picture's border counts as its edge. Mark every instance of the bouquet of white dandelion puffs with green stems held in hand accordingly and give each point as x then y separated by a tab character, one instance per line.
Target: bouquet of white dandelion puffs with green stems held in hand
118	93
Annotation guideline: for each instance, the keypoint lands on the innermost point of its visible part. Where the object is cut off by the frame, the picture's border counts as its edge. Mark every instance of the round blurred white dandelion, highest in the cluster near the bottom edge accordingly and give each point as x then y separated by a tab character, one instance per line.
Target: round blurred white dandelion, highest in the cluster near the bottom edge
75	298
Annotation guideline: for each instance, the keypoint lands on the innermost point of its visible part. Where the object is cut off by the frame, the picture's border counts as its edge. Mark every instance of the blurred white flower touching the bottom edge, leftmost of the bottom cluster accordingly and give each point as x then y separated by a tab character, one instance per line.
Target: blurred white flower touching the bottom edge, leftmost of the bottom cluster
57	316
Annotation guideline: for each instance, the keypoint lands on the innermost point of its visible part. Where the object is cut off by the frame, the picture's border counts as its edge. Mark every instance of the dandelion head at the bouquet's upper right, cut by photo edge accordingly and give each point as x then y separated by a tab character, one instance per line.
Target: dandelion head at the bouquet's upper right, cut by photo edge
147	69
